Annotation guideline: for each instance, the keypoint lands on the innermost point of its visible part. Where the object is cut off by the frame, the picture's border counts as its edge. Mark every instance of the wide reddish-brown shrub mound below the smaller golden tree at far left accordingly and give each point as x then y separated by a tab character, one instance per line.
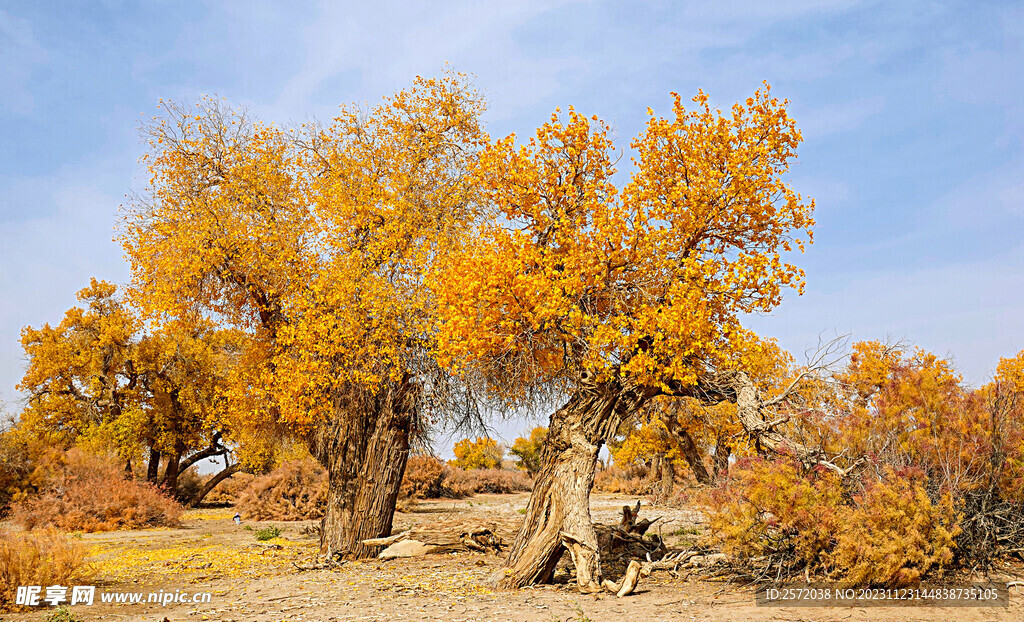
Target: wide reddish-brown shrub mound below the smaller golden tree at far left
91	493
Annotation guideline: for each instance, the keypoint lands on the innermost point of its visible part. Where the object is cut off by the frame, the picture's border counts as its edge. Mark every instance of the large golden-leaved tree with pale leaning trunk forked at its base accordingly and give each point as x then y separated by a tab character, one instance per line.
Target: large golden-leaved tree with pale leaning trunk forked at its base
619	297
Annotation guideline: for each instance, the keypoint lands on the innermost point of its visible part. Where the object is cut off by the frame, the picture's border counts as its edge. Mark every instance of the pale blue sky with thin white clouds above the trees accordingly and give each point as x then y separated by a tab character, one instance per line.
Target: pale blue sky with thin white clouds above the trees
913	116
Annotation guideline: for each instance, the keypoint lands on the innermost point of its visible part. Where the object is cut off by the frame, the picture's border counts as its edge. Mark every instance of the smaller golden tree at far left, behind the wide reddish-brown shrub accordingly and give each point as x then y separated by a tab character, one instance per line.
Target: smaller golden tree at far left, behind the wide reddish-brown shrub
98	379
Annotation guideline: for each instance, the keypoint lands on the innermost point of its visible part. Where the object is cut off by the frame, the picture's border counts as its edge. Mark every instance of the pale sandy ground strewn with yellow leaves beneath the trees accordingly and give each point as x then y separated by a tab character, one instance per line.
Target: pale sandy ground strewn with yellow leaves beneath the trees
261	583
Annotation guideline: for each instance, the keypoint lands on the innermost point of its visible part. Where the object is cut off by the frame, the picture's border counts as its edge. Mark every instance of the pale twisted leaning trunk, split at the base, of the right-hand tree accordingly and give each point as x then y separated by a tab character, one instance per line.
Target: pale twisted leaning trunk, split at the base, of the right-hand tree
559	513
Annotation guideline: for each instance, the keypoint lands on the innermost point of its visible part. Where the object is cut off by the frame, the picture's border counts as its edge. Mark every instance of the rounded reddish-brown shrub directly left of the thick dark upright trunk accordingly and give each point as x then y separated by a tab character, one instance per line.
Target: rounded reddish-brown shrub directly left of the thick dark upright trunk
294	491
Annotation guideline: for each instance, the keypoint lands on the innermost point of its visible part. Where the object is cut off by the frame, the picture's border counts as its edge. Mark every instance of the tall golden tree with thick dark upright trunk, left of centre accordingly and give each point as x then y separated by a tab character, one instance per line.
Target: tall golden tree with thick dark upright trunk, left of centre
316	242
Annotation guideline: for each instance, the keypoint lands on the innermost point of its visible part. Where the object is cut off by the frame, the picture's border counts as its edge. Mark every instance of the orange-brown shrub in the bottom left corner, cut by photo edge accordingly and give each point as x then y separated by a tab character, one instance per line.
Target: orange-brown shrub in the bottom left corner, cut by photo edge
39	558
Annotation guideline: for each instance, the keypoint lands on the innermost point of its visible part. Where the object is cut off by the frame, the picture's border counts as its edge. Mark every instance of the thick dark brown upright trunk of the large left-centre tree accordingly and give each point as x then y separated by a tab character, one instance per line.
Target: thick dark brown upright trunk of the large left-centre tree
365	451
